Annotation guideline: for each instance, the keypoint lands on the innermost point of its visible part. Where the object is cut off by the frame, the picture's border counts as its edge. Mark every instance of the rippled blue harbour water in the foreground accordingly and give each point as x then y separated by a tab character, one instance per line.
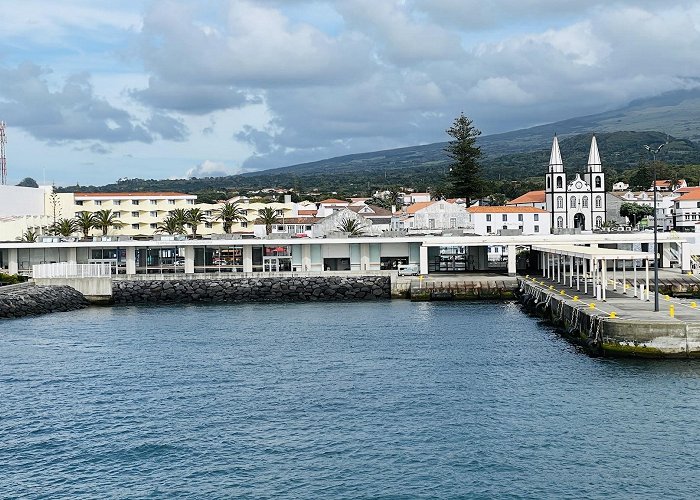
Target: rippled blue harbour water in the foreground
352	400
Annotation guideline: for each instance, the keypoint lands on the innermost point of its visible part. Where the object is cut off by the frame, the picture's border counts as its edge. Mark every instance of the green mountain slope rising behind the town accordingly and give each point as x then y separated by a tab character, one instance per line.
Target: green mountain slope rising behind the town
514	155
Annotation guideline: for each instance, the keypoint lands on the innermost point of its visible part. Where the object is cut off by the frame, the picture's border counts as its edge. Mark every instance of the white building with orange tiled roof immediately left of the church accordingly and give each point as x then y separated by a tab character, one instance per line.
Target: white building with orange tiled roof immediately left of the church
491	220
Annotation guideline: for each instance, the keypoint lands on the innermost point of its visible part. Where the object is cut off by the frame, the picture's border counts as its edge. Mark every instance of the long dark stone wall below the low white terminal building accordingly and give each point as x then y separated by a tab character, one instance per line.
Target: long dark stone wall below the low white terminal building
287	289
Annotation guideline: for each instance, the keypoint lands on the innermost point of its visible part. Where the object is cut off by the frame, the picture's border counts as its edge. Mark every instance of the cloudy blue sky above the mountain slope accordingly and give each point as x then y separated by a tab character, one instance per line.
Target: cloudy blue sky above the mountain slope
93	91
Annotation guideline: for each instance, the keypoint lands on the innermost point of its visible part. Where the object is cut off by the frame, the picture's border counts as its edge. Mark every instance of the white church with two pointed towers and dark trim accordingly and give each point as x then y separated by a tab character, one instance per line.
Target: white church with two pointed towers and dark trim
577	203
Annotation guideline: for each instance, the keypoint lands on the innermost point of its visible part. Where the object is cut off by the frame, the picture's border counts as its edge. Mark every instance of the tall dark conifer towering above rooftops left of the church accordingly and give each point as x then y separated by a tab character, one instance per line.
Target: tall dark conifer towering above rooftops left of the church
465	172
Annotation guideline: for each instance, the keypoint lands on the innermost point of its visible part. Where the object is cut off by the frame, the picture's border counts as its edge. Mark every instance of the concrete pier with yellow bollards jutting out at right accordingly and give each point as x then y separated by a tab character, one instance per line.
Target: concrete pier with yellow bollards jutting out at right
622	325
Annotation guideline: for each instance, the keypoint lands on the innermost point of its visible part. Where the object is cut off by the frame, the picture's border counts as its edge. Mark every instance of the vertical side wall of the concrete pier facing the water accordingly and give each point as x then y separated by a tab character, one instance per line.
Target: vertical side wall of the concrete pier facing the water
602	335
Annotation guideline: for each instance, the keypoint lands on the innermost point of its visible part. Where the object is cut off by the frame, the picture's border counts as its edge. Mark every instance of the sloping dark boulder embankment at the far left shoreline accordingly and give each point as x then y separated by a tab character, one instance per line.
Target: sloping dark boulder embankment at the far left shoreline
33	300
